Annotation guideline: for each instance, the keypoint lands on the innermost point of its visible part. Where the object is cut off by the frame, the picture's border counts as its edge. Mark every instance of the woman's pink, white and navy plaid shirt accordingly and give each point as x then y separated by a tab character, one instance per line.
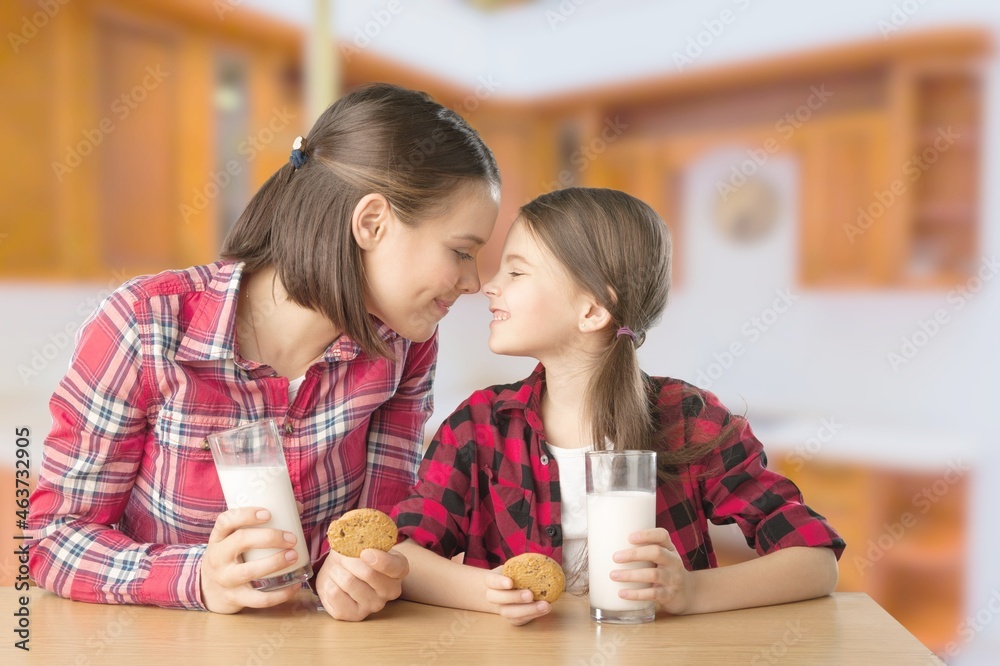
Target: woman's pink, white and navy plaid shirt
128	494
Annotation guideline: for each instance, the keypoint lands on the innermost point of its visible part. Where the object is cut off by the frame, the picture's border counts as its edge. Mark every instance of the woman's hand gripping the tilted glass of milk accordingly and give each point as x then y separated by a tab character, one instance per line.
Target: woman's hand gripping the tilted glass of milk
225	579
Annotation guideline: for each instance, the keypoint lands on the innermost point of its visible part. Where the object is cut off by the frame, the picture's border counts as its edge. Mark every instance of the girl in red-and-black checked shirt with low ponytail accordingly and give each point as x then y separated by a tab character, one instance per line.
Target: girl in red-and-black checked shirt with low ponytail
584	274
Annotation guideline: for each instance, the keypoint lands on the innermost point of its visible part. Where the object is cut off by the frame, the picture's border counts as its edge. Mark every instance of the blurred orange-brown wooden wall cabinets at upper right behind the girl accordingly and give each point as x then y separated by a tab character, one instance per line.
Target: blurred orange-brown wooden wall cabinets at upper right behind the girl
885	134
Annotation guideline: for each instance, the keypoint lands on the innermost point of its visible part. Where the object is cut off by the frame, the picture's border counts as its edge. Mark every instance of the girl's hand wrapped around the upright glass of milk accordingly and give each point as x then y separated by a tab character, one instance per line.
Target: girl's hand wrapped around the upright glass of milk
671	585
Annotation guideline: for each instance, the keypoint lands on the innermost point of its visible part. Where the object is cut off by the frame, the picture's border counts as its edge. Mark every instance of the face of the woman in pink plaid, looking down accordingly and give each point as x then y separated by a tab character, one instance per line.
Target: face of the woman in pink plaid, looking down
415	274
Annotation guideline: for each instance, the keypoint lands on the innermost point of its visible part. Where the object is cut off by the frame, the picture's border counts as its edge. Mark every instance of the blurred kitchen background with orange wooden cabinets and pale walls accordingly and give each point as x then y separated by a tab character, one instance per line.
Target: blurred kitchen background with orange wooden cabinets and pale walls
823	168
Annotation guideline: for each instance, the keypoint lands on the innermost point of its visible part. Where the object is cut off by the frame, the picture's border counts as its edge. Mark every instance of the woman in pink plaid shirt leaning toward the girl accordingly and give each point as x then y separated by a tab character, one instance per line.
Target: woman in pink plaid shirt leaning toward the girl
322	315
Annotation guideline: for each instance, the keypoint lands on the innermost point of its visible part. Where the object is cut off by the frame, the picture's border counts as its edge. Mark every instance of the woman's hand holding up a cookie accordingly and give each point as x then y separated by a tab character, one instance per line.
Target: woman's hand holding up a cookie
352	588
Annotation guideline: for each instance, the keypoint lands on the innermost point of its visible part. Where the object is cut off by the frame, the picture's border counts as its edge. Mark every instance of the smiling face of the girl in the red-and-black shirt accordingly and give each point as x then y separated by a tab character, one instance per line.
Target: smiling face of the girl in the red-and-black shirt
537	309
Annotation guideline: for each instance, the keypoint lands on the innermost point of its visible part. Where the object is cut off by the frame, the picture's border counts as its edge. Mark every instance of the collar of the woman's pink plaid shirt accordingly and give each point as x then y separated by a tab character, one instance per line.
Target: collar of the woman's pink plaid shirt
211	333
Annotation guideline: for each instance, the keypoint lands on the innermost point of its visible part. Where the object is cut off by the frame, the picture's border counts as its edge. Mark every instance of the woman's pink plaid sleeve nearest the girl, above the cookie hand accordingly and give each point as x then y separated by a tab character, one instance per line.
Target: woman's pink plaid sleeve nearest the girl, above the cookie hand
396	430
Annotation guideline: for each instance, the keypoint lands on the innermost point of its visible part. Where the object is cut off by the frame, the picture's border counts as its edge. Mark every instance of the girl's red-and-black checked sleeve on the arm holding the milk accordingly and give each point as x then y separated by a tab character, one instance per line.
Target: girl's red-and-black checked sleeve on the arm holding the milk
738	487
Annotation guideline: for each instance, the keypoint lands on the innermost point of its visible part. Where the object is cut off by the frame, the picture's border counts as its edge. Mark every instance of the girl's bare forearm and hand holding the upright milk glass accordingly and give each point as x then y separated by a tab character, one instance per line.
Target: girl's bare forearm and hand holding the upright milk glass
781	576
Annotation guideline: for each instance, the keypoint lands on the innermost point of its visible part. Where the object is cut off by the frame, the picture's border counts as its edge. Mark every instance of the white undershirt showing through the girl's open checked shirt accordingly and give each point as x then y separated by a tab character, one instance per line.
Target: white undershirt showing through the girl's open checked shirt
573	487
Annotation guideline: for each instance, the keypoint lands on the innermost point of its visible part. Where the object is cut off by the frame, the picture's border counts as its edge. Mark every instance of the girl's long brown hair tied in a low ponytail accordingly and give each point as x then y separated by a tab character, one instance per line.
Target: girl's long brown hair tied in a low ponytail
616	248
